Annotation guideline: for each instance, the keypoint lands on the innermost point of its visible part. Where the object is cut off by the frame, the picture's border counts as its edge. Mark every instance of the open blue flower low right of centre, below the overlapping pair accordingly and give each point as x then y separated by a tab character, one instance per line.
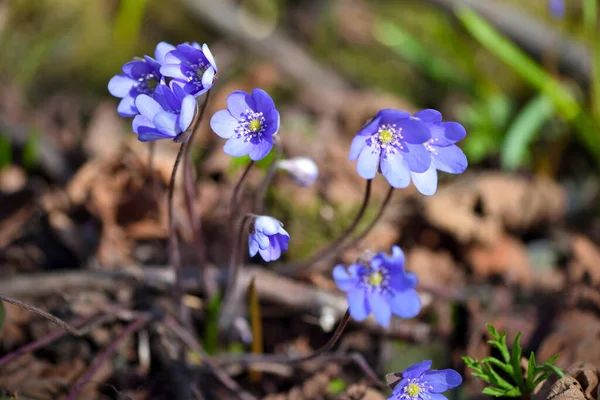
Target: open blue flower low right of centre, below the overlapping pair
383	288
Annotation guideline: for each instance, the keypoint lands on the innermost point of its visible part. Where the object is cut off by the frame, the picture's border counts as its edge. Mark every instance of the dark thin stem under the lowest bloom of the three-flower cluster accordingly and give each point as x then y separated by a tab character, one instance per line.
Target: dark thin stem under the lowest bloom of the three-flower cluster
174	255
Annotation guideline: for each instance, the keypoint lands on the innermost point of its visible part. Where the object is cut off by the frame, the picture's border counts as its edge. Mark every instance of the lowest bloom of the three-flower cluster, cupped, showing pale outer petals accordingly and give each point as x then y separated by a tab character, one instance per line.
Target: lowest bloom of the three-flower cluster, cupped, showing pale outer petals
166	116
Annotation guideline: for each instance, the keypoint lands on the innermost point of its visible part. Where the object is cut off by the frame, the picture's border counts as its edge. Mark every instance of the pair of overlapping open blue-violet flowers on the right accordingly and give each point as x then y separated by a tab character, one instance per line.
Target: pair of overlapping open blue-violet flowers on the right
401	147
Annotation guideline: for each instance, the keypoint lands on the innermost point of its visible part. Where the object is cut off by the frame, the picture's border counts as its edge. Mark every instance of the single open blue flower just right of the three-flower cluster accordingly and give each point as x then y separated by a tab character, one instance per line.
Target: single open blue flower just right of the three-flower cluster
249	124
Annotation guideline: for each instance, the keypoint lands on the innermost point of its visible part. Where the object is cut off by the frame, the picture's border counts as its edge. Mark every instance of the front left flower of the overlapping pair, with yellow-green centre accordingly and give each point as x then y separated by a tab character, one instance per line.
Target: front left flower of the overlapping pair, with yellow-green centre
393	144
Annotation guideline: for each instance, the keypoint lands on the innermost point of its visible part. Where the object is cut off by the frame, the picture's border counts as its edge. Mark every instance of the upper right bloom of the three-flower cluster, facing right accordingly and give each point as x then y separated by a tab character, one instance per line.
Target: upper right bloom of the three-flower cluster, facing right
192	67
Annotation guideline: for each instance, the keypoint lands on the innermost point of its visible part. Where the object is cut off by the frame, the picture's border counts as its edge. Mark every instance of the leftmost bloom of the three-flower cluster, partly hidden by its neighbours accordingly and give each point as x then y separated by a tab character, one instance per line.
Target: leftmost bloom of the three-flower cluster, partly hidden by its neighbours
140	76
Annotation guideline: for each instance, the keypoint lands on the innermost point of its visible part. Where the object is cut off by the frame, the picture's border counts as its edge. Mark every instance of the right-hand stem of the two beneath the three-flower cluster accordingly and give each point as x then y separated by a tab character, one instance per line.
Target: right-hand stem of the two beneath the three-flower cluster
190	199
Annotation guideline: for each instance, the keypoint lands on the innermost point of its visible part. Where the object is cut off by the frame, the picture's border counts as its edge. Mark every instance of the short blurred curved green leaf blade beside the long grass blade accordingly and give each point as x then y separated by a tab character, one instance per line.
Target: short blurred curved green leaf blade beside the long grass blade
524	130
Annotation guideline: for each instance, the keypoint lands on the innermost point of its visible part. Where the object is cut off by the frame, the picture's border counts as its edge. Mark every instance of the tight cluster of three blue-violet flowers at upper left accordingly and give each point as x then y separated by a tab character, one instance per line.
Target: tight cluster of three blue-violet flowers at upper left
161	92
